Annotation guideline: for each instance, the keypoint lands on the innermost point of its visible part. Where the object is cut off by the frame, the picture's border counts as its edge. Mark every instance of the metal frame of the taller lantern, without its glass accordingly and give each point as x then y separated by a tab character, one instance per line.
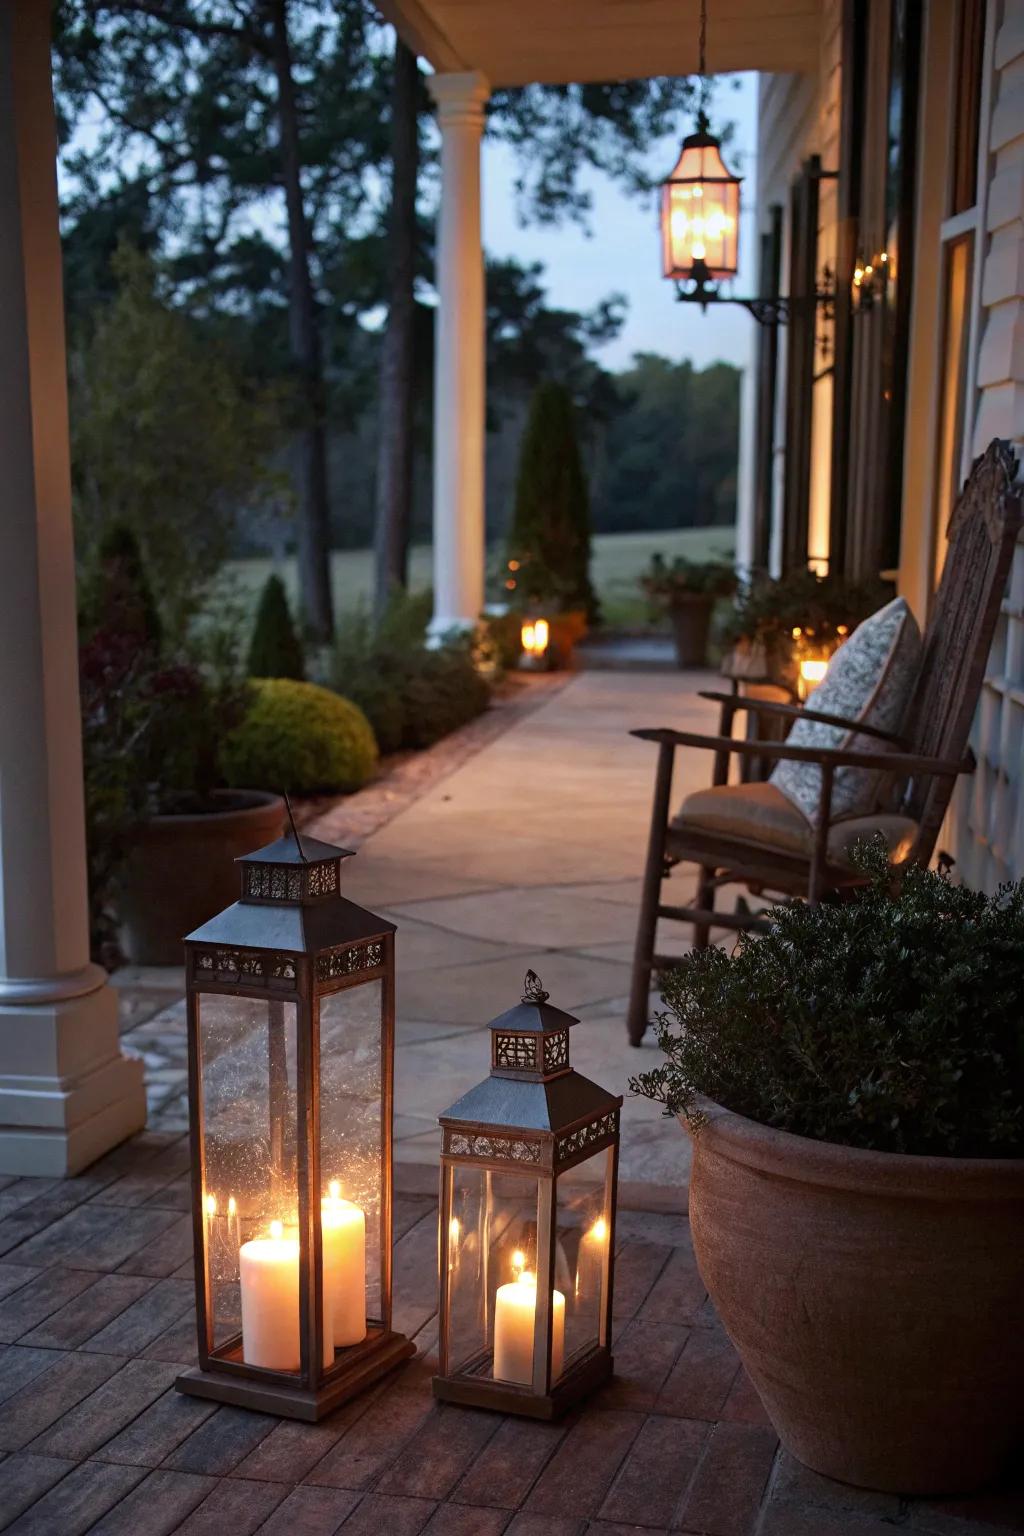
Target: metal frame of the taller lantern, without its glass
294	939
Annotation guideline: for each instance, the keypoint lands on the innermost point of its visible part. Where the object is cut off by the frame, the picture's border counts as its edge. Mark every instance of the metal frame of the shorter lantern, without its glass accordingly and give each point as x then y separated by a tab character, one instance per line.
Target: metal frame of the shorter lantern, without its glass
535	1116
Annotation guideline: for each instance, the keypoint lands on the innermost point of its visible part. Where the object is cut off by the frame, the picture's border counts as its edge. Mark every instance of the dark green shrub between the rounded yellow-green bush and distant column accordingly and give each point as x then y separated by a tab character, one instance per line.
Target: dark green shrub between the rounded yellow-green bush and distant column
411	695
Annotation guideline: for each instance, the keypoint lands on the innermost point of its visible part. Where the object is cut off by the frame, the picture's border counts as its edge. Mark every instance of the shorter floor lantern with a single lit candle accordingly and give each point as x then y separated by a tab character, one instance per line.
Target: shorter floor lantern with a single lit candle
529	1174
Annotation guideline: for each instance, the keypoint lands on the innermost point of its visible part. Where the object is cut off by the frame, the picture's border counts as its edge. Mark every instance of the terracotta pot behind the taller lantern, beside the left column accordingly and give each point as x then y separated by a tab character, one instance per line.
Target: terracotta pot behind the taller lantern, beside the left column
182	872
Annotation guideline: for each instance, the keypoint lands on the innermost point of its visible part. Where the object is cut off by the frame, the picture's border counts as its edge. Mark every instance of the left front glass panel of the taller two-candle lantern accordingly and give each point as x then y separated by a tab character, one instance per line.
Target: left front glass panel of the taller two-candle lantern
249	1079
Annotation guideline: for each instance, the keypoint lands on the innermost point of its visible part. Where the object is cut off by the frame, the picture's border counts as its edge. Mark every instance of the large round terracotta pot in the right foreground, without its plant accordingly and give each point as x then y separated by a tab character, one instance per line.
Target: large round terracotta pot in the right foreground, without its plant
874	1299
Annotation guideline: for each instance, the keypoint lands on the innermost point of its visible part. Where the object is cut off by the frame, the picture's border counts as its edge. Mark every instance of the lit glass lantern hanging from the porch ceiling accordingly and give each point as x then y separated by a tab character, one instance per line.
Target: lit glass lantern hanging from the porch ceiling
701	214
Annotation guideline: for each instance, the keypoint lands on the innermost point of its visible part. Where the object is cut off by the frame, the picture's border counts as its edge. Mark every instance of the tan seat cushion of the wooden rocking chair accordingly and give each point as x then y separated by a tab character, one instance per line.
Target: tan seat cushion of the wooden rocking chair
761	813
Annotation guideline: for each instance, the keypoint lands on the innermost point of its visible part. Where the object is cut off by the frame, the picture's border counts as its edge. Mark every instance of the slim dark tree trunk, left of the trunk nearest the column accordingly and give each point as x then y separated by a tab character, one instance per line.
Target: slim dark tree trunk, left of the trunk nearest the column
314	525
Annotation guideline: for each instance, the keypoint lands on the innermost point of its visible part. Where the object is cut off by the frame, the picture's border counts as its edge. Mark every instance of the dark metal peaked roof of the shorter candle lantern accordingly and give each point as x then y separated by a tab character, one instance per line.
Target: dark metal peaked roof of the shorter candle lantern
532	1090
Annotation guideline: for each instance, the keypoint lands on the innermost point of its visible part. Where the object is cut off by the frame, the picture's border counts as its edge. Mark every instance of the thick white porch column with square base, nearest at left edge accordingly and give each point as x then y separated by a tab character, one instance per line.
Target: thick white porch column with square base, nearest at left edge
67	1094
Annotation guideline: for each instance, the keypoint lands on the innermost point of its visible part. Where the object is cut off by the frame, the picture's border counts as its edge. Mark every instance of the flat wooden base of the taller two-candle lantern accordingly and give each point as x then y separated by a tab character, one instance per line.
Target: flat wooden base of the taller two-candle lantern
265	1392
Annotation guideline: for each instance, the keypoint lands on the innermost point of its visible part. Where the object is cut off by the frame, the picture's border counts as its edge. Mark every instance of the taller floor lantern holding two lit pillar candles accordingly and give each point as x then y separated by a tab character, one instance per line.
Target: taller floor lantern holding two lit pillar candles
291	998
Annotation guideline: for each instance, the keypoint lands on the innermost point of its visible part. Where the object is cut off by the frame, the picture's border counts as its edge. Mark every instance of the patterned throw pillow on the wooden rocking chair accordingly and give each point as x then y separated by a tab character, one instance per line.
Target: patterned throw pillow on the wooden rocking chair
870	680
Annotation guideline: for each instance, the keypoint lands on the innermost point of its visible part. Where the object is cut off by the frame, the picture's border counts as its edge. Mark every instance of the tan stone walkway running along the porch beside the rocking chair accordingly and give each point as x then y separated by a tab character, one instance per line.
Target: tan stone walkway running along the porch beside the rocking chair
529	858
